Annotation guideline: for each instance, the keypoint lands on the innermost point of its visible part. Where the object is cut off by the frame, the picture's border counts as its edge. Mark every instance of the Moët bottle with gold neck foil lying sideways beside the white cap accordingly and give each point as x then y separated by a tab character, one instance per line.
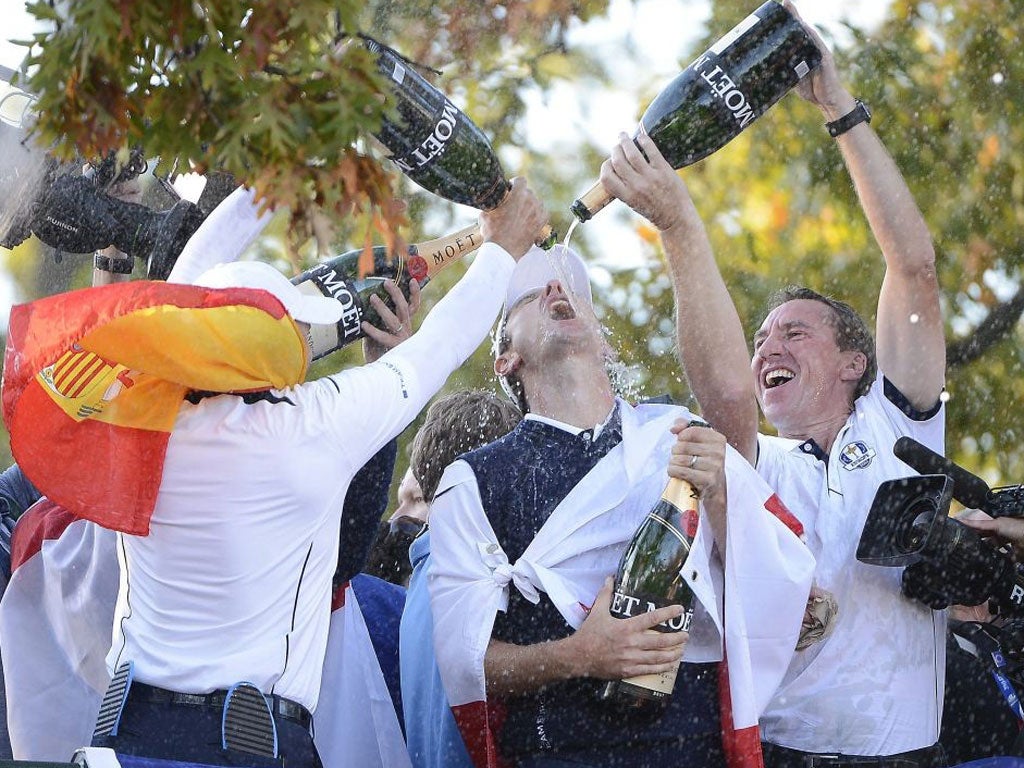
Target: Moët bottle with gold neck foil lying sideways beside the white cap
339	278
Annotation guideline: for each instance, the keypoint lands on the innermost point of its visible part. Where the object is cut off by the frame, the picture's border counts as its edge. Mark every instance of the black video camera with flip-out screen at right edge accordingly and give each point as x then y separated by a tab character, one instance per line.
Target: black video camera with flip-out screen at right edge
947	562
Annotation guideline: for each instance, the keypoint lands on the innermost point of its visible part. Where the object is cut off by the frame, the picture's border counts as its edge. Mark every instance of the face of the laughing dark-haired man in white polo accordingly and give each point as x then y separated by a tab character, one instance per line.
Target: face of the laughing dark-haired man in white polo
801	376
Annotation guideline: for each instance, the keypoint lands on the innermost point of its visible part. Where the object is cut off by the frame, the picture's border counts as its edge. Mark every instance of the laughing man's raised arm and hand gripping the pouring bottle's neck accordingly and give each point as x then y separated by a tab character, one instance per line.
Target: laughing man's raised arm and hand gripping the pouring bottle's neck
709	334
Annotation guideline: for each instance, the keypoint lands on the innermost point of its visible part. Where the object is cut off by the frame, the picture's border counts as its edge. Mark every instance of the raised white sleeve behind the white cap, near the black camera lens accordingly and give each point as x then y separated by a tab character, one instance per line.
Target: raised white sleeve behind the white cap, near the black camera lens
223	237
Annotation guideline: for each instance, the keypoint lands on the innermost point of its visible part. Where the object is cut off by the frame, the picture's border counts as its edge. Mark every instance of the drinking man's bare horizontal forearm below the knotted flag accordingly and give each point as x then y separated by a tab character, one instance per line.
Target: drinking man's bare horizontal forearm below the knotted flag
517	670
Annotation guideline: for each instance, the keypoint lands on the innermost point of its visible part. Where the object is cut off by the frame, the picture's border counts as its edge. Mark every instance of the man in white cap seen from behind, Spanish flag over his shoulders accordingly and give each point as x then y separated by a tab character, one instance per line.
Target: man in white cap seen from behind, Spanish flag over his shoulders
229	595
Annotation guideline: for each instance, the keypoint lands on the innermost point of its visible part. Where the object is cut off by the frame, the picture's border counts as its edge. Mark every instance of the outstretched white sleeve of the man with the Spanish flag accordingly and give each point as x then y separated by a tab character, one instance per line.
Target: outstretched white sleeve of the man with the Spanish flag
366	407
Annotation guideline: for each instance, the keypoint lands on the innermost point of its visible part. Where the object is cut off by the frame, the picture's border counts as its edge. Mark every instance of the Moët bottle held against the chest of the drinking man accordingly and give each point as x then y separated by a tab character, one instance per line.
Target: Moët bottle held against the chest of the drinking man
651	577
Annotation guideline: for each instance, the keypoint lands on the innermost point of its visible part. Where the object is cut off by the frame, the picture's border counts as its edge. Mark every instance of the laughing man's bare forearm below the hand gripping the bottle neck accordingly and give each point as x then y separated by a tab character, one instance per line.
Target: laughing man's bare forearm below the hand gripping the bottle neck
710	337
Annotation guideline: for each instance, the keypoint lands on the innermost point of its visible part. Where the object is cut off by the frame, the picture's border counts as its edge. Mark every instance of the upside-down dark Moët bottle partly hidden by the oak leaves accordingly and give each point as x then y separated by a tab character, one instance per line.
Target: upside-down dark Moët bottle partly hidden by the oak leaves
436	144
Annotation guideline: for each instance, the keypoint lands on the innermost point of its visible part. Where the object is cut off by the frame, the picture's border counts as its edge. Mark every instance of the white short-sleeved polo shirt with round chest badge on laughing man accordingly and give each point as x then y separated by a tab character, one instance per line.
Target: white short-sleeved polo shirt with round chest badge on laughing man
875	687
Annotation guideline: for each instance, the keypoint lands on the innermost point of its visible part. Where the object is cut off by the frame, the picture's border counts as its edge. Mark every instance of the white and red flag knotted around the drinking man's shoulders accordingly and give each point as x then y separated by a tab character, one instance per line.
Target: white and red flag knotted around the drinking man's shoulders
748	610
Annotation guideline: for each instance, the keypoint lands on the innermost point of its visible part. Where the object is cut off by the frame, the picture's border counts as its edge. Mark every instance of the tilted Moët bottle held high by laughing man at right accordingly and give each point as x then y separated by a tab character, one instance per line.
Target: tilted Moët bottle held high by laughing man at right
729	88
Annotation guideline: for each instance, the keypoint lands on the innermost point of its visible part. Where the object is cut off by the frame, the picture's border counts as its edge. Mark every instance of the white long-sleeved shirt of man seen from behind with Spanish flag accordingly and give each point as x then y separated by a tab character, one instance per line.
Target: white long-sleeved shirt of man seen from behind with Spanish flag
234	581
